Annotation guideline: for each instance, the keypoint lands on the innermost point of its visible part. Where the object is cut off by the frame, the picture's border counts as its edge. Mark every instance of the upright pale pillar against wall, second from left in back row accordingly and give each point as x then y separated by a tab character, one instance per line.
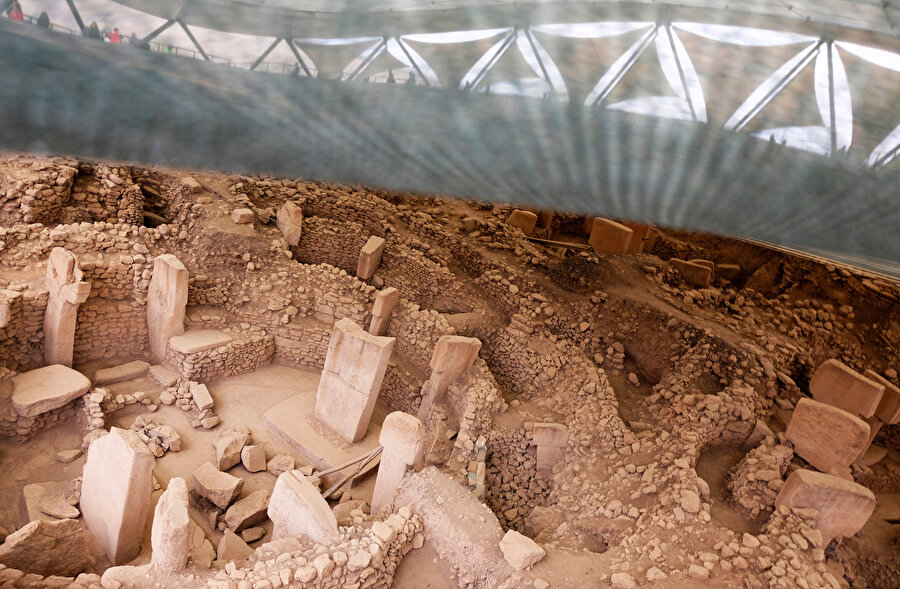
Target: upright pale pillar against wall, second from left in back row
166	300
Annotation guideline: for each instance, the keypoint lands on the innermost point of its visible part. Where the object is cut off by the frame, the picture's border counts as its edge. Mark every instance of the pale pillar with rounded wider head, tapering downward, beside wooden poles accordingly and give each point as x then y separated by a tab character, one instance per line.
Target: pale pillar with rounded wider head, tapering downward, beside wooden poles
402	437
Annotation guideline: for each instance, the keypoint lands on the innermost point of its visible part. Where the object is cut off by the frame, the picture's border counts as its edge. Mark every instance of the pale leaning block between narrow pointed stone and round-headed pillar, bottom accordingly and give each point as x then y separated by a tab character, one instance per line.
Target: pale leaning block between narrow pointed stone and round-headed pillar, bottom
297	509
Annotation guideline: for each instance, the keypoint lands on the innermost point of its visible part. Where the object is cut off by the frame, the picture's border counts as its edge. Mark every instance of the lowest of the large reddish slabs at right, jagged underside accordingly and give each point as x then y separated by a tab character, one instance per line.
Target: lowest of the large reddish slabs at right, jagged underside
844	506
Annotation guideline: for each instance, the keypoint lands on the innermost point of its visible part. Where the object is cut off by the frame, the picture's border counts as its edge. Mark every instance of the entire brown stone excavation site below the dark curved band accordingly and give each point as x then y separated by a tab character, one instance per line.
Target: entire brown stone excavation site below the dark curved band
228	381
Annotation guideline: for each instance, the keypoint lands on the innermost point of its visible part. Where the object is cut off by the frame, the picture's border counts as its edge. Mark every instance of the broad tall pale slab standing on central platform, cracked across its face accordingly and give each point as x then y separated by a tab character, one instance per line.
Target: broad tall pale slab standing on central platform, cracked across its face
351	379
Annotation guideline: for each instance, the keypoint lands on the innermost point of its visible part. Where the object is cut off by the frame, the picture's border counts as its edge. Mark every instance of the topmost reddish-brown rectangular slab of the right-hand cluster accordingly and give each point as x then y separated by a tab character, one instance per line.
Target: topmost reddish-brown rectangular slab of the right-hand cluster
837	384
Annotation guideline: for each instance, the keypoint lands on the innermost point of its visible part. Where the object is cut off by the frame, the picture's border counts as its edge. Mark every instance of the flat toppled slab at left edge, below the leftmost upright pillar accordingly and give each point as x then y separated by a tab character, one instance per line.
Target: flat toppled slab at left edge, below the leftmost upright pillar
44	389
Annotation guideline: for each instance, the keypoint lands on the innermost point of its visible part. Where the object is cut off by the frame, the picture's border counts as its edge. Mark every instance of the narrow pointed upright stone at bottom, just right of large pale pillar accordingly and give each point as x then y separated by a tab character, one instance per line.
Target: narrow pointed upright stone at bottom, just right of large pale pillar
170	536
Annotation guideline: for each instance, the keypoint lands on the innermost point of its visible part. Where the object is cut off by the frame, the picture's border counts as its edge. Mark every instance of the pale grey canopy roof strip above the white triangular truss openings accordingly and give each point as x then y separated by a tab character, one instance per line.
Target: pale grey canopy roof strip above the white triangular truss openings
300	18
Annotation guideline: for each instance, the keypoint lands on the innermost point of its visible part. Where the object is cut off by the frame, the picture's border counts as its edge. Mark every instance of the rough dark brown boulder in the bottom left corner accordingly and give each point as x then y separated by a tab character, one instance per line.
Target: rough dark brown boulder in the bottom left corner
47	548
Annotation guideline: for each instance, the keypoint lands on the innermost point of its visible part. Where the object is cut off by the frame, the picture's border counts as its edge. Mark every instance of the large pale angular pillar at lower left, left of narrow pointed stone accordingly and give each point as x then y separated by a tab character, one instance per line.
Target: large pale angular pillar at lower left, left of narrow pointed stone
115	493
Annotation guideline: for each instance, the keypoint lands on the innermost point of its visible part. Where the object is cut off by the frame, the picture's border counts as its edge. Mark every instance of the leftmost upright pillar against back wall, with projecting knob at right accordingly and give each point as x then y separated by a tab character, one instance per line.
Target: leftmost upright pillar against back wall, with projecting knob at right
67	292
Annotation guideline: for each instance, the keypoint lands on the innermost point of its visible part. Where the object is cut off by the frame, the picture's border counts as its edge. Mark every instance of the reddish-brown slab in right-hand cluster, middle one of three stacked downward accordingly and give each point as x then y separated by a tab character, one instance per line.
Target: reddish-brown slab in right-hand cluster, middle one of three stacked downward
825	436
